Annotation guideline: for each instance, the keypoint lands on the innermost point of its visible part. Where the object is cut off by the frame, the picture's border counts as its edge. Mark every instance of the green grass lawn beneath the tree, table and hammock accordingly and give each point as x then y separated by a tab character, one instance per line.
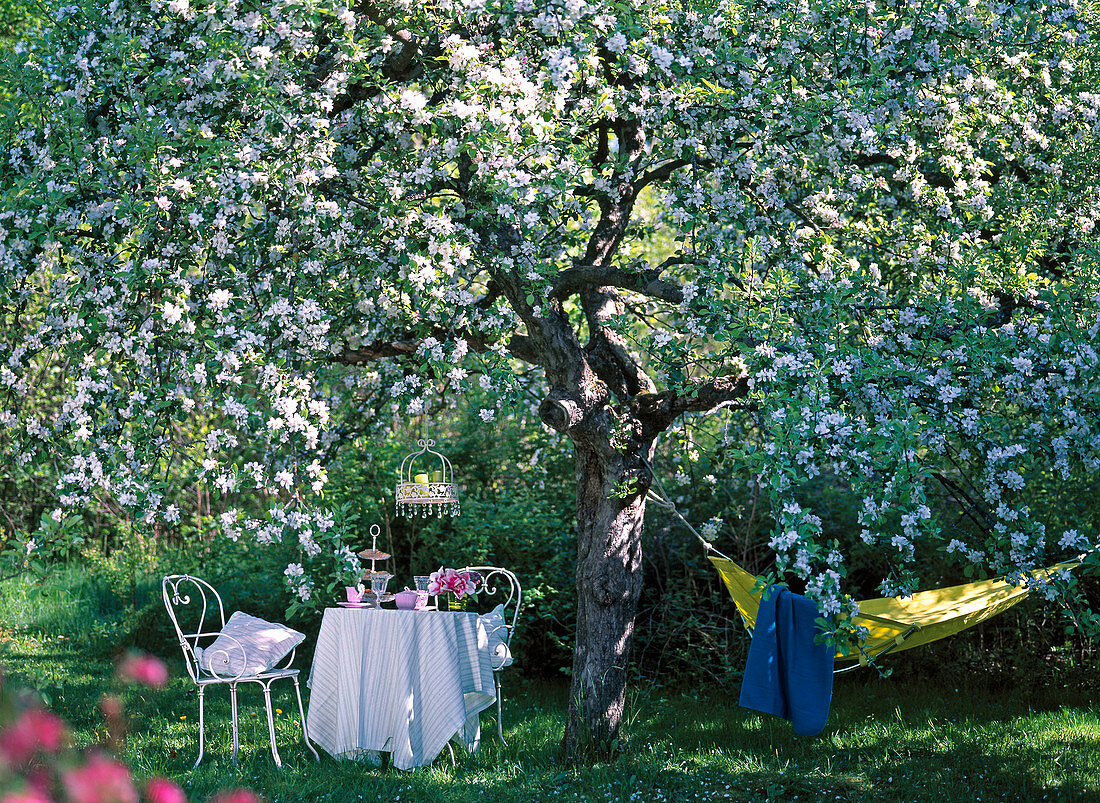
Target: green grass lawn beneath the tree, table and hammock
886	741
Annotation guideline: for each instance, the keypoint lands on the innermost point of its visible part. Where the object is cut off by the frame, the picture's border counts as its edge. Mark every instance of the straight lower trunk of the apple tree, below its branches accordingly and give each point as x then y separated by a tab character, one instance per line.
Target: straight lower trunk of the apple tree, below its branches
609	586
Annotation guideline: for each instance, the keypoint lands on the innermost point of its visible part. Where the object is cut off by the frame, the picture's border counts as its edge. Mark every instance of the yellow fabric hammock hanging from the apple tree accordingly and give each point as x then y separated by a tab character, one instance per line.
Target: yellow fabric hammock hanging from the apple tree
901	624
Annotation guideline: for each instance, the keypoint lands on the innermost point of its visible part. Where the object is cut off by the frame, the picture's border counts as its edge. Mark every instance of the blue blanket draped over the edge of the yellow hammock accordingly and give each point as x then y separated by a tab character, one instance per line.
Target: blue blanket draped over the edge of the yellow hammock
787	674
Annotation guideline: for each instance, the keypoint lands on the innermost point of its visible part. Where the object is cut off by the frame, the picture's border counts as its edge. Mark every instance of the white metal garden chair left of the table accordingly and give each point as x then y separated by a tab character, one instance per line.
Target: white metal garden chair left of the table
179	591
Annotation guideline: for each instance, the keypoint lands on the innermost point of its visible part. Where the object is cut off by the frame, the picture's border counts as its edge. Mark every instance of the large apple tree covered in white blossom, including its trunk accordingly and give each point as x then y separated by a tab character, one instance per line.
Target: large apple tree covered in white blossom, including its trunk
867	226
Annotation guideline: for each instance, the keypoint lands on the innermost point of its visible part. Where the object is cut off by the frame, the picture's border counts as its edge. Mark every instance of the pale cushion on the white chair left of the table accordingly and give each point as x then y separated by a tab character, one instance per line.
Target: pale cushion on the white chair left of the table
255	647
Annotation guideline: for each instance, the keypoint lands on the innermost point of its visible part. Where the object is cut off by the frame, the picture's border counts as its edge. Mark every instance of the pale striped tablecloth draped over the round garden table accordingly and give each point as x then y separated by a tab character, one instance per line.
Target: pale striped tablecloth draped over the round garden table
398	681
